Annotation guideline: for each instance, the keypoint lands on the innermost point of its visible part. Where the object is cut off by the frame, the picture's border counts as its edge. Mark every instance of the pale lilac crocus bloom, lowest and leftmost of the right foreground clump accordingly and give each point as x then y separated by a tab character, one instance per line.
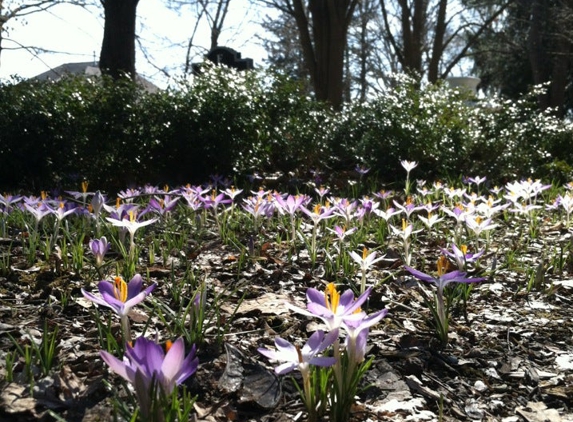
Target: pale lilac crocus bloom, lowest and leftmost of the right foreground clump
294	357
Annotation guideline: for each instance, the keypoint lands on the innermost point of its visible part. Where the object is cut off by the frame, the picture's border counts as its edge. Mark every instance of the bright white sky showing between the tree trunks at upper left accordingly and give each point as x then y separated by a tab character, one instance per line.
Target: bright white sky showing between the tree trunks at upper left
73	34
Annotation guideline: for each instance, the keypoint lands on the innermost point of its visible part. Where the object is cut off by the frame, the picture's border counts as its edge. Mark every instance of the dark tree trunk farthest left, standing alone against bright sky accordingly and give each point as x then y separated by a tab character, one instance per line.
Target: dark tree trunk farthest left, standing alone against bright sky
117	57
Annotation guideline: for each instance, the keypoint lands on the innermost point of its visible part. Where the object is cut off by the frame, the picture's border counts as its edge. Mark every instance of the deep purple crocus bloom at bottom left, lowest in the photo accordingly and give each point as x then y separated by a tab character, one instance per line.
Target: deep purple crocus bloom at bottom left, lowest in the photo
146	366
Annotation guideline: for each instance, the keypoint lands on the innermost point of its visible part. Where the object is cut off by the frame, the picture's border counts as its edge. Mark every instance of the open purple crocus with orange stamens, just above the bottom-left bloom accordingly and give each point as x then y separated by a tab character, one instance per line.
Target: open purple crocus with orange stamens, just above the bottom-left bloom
119	295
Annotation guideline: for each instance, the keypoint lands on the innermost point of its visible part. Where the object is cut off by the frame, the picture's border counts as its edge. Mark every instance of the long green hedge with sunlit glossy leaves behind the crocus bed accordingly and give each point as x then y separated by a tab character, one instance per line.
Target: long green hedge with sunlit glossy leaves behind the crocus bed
114	134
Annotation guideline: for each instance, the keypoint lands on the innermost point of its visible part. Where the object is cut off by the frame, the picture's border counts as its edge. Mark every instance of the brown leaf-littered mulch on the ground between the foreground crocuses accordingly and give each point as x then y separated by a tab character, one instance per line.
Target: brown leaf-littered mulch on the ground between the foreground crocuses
510	357
